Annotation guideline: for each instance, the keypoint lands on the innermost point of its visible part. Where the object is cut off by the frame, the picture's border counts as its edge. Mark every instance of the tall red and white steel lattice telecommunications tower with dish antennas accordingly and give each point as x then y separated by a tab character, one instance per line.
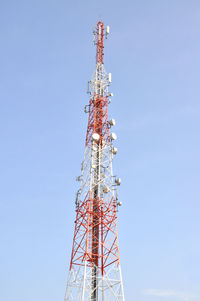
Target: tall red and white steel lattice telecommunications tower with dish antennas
95	272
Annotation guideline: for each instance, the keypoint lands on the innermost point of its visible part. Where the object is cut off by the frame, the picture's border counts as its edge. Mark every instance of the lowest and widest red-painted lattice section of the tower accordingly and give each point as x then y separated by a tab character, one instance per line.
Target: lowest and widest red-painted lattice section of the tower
83	235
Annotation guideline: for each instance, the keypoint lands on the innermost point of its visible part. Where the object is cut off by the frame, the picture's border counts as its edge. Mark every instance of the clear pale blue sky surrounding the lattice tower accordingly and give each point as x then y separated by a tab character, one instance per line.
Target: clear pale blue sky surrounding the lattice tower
46	59
